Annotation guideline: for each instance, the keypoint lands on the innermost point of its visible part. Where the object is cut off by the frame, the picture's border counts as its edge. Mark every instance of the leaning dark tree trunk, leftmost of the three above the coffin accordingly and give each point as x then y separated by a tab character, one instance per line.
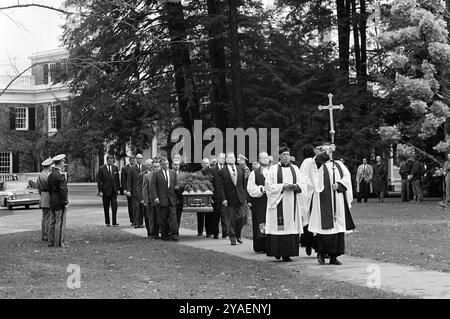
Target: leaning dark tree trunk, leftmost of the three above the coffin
188	102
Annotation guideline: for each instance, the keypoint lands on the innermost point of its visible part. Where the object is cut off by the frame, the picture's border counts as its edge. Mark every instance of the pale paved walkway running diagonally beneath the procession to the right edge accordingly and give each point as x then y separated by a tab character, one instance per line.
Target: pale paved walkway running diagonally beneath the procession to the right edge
396	278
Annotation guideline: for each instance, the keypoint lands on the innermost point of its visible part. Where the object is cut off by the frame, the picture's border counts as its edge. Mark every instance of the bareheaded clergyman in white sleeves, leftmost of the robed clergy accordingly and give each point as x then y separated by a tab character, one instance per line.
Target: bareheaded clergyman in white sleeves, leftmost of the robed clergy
257	191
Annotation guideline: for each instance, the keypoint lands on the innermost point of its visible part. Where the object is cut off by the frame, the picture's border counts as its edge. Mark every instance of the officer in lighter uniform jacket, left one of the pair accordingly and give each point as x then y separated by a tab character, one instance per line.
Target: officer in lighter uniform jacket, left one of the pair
44	203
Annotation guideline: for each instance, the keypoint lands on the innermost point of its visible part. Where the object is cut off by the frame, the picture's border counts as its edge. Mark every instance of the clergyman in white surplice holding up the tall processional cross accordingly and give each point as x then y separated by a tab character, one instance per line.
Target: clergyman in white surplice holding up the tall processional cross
328	222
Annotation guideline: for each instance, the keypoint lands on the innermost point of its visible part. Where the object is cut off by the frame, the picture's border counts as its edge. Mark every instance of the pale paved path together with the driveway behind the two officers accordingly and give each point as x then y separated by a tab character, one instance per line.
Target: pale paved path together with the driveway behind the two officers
396	278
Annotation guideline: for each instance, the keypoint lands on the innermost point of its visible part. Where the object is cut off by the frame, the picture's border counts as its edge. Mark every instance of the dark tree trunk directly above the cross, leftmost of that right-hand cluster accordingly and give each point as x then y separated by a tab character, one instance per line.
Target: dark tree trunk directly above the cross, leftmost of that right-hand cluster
343	15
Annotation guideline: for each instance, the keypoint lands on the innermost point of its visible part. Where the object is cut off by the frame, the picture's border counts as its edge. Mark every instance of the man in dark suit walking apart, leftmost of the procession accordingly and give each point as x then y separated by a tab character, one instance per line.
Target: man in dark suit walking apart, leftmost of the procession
108	187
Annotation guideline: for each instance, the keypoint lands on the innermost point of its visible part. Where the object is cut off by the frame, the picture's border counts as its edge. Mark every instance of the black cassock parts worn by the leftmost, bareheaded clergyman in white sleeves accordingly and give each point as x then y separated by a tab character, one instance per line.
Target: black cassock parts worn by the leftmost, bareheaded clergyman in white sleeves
259	205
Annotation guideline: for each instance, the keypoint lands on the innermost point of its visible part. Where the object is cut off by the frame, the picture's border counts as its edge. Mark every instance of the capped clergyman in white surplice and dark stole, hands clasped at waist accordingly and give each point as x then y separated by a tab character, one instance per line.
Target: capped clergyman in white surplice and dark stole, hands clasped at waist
283	221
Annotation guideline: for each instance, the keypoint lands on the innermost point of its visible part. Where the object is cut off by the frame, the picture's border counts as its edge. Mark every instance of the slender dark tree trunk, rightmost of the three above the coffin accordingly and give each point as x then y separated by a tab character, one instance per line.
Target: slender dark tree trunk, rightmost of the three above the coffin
236	64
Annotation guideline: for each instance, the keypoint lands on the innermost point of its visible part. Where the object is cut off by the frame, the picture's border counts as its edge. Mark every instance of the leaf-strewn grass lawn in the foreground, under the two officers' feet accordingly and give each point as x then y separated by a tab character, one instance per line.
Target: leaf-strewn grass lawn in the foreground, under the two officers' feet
116	264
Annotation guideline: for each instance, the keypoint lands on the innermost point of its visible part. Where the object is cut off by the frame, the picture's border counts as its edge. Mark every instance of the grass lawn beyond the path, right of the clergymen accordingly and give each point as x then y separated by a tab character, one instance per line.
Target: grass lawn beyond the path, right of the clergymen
416	234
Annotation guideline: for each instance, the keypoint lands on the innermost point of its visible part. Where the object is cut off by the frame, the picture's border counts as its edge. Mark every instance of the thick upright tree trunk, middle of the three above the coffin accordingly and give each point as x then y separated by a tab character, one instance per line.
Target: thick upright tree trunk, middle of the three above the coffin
216	47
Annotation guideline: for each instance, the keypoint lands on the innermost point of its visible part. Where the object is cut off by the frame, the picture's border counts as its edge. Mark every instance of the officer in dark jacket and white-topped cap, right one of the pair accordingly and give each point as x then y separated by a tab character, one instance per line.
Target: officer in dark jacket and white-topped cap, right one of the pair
57	184
